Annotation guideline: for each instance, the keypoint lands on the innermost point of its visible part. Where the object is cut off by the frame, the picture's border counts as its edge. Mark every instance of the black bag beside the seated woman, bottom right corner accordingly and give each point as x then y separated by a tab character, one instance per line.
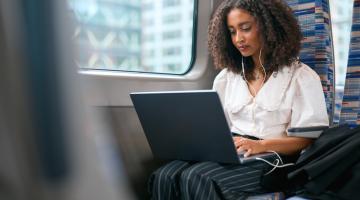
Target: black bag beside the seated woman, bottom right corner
329	168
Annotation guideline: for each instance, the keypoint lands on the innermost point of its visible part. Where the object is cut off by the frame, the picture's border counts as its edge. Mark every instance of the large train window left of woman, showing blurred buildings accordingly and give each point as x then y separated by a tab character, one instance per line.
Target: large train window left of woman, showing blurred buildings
138	35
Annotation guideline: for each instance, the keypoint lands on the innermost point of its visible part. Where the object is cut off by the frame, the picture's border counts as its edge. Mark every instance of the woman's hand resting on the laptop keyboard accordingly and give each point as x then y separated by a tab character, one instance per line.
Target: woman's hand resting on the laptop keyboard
248	146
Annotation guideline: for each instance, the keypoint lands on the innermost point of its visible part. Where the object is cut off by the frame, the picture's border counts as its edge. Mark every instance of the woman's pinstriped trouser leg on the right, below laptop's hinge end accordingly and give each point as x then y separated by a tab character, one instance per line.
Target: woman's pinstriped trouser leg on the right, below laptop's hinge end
207	179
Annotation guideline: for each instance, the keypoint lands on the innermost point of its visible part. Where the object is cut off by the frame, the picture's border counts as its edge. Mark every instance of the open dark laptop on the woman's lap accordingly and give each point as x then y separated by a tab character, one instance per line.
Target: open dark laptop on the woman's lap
187	125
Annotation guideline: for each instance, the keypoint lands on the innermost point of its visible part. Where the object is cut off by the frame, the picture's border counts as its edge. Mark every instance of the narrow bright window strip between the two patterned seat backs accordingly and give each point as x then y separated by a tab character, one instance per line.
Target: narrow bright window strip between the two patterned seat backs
341	17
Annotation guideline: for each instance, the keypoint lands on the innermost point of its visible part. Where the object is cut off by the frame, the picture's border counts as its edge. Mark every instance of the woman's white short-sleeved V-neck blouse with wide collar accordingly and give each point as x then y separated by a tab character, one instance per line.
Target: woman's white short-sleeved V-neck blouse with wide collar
291	97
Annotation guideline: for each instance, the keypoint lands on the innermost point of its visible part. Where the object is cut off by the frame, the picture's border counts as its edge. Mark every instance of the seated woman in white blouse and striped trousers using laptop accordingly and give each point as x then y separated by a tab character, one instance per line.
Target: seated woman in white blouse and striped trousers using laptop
264	90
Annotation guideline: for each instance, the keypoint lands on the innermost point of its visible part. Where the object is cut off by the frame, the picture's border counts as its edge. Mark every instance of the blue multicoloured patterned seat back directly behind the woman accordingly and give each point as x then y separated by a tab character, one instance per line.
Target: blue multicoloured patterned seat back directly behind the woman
317	49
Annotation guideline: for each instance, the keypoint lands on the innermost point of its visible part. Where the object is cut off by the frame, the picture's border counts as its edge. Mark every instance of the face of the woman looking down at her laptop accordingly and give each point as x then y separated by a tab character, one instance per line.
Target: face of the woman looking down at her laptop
244	32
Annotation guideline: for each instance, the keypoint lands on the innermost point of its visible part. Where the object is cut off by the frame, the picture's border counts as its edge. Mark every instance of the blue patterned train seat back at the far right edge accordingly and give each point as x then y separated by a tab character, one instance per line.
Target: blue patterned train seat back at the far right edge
350	112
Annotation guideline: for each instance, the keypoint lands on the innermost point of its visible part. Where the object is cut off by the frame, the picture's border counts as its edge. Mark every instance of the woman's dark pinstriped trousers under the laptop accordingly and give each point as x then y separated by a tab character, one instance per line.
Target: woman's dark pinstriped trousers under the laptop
206	180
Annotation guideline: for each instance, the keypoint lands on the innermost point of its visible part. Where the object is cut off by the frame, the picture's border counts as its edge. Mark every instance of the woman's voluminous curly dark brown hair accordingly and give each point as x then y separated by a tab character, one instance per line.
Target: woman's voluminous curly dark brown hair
281	43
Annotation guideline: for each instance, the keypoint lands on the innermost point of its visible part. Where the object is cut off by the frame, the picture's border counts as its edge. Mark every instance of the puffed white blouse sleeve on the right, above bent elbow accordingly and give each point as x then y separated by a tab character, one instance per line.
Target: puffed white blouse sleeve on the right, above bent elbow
309	107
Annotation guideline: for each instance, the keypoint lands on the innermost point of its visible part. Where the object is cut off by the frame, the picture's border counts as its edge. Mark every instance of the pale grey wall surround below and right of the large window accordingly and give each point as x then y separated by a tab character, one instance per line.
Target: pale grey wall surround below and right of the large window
112	88
